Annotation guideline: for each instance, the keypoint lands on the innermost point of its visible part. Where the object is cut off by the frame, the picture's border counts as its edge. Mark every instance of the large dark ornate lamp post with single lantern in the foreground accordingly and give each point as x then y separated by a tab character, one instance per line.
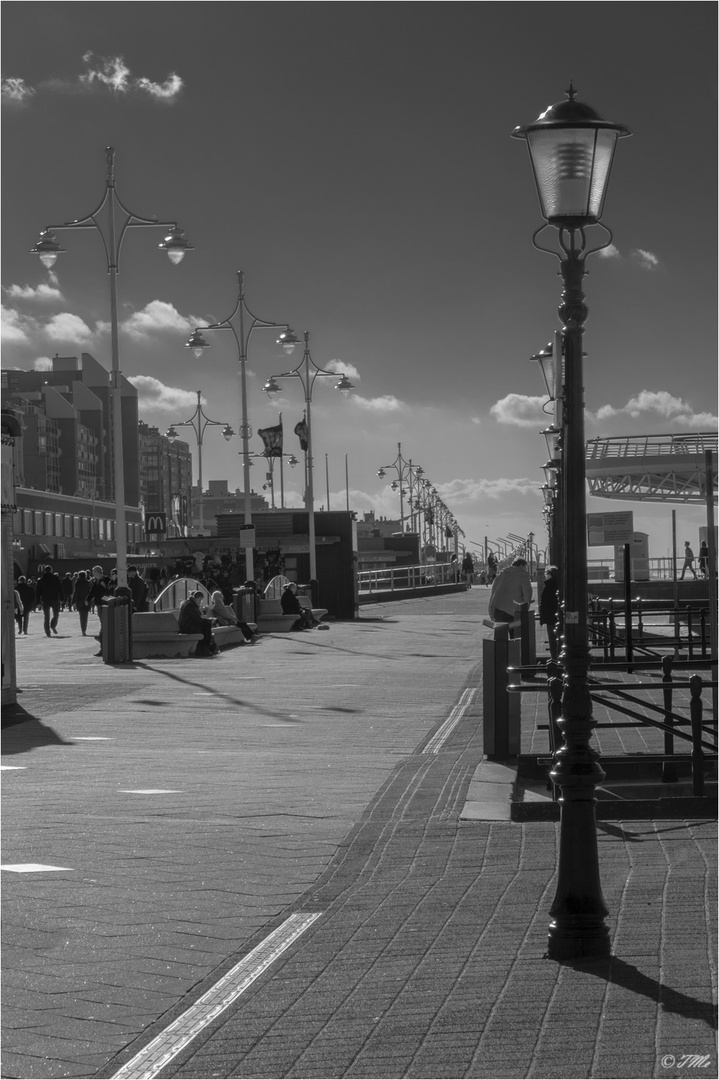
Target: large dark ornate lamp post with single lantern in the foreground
572	148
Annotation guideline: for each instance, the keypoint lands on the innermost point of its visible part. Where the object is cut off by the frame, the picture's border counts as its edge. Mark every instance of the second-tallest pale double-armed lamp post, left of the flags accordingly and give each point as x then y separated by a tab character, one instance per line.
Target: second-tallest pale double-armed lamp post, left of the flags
247	325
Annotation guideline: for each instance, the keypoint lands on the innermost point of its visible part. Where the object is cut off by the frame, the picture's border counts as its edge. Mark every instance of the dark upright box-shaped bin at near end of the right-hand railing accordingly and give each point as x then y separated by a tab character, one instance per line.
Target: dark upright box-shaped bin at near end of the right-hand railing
501	709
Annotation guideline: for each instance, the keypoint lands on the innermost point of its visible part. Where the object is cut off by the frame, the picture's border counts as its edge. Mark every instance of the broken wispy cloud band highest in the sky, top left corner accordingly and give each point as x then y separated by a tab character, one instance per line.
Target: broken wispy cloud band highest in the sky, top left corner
110	74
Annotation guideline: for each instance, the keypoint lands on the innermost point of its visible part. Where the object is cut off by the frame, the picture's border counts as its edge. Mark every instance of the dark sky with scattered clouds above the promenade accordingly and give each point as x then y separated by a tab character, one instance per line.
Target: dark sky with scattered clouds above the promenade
355	160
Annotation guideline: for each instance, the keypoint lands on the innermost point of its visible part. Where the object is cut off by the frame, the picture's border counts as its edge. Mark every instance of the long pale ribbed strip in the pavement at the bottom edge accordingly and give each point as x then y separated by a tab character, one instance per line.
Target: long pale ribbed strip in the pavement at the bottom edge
150	1062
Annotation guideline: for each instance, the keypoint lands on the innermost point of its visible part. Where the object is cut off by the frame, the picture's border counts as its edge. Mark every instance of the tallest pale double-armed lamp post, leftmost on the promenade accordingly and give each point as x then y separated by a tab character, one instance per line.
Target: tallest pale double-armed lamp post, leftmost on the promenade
113	233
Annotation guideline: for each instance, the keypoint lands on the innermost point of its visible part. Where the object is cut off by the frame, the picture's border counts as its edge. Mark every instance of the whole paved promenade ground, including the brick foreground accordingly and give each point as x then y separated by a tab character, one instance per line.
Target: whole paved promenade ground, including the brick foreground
256	866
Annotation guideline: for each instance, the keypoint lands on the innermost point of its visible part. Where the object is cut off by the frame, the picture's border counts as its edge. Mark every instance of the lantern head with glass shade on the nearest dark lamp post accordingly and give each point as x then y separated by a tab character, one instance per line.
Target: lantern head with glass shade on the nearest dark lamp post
572	148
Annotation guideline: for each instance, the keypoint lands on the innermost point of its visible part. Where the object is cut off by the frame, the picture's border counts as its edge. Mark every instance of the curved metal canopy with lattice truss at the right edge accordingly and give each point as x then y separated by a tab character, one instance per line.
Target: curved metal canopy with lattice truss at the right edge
653	468
